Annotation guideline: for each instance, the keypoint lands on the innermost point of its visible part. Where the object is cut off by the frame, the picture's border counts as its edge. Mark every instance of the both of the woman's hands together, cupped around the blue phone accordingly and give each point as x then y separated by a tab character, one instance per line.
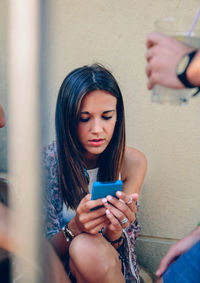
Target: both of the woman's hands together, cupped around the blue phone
93	215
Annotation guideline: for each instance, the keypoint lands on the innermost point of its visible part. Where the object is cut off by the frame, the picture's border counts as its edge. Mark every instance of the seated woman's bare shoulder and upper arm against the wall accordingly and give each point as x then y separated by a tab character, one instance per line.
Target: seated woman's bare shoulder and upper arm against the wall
133	170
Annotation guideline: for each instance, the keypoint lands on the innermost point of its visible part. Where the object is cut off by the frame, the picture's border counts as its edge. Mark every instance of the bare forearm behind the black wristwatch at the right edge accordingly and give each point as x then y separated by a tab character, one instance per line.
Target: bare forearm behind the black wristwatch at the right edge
193	71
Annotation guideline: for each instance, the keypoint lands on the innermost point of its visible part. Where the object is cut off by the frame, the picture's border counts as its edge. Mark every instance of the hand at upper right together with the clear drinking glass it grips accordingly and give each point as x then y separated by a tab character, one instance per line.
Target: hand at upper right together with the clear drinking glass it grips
165	50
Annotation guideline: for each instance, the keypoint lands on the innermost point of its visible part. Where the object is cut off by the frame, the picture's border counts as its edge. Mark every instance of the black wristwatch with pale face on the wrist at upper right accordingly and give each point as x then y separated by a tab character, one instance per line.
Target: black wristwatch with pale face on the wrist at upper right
182	67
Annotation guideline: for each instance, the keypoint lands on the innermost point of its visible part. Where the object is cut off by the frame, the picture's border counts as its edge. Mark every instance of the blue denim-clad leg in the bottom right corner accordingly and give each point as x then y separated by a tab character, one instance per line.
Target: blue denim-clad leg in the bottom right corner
186	269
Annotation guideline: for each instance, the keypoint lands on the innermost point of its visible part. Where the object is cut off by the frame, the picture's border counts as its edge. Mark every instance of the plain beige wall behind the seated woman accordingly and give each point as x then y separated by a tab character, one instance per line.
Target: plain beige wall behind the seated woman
113	32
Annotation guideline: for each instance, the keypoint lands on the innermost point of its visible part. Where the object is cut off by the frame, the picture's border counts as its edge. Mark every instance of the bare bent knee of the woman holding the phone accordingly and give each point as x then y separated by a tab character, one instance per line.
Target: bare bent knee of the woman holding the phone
93	259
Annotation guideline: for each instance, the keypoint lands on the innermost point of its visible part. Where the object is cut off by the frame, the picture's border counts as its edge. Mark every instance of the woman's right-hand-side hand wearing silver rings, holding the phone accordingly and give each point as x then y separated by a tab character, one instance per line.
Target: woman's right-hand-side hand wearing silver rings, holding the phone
120	212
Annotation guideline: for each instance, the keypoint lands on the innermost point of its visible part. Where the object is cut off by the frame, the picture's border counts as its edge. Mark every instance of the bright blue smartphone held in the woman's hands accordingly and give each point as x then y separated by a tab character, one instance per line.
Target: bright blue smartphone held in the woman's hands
103	189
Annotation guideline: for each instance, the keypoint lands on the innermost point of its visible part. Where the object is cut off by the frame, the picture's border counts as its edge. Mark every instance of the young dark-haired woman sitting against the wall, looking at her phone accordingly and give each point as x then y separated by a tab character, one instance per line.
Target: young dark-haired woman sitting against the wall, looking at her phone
96	245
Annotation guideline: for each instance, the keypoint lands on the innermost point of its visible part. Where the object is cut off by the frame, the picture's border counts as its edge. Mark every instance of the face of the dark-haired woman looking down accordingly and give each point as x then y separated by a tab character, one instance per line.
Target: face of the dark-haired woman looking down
96	124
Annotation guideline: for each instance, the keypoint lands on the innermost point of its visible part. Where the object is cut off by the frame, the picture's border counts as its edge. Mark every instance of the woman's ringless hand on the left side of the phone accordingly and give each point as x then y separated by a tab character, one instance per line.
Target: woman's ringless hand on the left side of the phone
87	220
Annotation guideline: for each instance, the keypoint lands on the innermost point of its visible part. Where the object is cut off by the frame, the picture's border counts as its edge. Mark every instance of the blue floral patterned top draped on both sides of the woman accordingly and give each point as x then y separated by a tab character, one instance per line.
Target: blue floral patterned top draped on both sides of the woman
55	222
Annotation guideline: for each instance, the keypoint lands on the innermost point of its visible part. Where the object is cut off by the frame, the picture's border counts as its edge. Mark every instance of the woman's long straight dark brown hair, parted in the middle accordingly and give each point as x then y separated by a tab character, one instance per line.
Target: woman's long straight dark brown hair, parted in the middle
72	179
